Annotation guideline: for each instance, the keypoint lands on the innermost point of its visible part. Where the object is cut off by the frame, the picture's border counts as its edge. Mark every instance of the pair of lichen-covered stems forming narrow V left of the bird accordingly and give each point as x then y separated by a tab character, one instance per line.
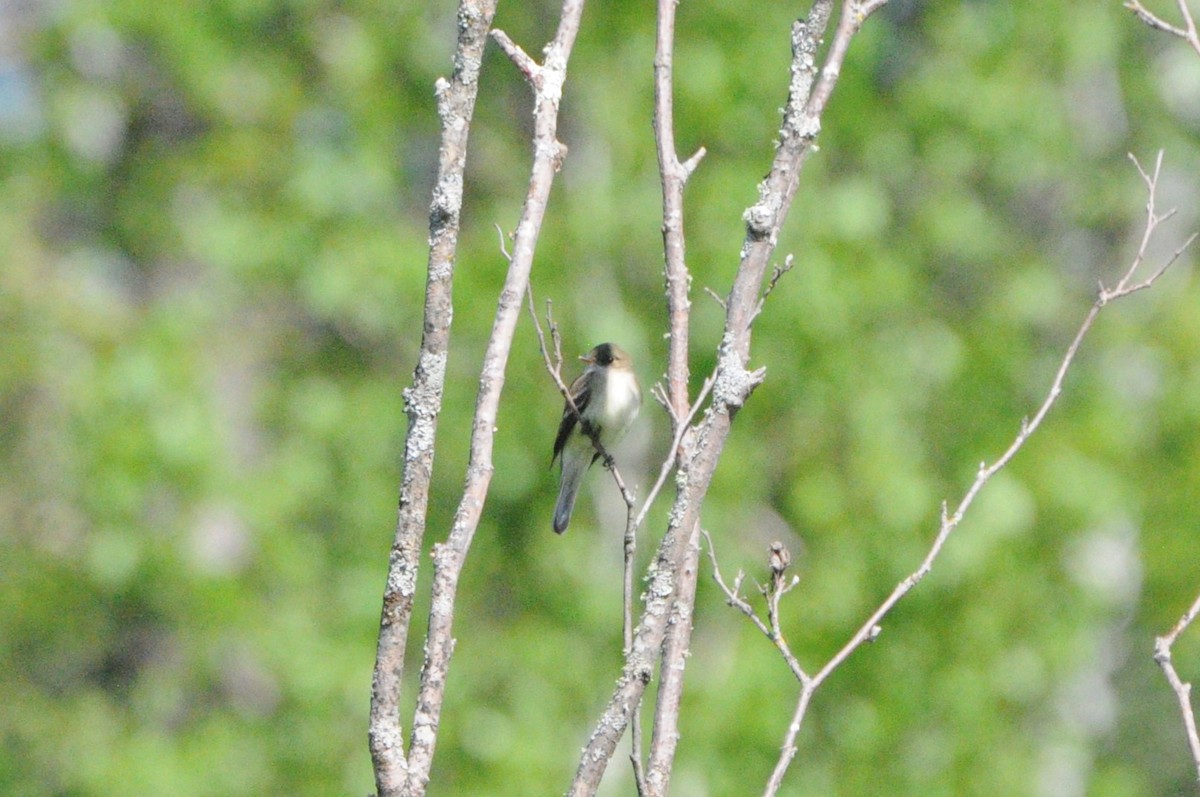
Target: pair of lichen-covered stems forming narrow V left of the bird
397	774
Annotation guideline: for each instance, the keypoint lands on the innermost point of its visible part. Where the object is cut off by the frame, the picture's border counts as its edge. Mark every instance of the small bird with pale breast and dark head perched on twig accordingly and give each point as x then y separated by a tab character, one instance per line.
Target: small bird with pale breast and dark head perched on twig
608	397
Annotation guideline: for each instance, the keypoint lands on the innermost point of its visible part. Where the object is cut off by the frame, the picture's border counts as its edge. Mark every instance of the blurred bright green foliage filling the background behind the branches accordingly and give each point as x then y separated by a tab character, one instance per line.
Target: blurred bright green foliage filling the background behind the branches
215	245
